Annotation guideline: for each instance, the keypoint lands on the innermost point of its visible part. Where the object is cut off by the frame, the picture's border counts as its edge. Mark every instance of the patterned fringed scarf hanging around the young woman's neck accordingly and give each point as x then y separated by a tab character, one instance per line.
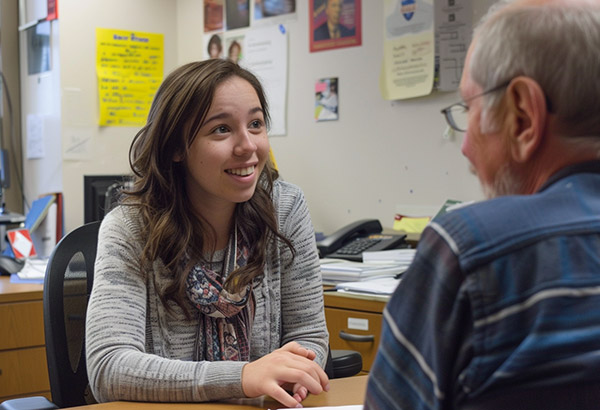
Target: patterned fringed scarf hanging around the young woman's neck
226	319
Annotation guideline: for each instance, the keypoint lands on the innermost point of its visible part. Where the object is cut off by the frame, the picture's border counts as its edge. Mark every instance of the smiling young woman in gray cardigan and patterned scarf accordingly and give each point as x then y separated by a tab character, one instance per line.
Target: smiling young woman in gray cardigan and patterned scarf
207	283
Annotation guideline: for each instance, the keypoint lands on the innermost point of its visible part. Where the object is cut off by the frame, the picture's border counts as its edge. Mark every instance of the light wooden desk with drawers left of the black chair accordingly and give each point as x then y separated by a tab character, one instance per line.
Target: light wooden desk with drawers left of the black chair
23	368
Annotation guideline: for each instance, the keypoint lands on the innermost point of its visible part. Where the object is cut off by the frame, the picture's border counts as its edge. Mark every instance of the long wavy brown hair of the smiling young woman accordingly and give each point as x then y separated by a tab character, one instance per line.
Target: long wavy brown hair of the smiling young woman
172	232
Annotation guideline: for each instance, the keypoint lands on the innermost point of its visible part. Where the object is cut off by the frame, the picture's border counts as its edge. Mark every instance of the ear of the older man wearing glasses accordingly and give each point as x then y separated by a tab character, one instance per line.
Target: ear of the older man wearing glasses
527	115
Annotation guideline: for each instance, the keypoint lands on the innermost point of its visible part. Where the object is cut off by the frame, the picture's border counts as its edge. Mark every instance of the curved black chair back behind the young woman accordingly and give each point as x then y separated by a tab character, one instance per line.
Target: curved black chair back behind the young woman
67	287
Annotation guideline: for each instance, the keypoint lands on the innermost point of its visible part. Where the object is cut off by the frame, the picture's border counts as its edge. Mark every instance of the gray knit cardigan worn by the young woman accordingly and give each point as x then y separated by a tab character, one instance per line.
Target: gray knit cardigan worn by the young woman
137	351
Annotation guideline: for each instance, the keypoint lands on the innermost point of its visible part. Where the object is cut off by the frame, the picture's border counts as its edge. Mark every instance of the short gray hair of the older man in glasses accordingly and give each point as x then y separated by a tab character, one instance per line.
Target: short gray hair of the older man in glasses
557	45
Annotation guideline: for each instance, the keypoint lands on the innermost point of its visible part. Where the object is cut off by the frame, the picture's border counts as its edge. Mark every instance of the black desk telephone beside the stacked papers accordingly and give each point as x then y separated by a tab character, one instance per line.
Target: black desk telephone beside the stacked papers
352	240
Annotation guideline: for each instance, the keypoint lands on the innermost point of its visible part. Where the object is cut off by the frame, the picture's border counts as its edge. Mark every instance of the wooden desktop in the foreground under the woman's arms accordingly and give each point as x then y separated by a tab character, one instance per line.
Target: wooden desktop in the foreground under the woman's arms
346	391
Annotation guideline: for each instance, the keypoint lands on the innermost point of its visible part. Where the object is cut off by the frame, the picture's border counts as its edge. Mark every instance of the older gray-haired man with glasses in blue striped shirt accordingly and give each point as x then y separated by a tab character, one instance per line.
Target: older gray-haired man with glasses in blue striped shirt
501	307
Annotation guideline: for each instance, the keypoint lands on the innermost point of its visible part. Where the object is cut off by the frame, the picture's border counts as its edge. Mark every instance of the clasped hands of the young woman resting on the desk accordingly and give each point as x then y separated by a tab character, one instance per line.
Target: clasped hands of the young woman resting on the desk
290	365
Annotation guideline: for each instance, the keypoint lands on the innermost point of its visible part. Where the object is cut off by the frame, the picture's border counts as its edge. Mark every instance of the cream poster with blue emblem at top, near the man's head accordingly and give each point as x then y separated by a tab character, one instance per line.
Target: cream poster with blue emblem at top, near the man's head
409	49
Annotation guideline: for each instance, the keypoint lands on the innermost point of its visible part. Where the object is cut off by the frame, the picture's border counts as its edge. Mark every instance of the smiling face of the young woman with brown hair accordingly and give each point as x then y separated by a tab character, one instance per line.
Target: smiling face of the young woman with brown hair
229	152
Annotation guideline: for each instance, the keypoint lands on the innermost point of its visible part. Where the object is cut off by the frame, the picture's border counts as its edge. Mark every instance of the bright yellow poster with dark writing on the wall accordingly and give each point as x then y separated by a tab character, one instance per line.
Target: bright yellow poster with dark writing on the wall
130	69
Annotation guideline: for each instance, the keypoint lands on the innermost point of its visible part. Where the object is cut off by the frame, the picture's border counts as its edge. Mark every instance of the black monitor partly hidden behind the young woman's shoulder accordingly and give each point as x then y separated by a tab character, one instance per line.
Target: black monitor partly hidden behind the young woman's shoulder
94	194
